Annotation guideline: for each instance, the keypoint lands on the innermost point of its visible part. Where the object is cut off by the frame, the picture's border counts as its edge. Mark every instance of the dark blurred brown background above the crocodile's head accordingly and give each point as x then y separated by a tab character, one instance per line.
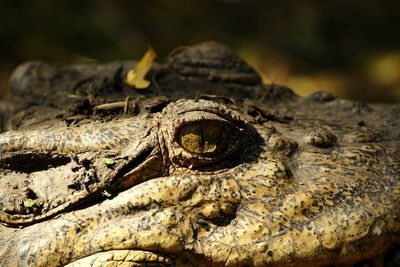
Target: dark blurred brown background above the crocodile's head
350	48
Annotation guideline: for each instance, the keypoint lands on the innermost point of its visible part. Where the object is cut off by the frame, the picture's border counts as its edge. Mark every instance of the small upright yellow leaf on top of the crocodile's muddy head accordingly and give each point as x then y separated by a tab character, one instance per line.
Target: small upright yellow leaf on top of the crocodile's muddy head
135	76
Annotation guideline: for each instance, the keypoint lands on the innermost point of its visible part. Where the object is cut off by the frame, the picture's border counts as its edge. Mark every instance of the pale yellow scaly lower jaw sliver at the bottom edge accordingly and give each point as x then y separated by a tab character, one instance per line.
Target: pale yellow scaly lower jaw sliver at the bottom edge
128	257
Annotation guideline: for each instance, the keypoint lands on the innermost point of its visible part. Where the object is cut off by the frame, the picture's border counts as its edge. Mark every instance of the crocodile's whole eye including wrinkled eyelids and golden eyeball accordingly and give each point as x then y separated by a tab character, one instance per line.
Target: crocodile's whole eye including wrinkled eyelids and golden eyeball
202	135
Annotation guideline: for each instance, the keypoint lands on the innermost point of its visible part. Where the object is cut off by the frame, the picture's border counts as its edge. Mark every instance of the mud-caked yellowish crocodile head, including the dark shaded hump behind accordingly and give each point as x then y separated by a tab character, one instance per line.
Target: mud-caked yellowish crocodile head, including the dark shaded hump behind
211	168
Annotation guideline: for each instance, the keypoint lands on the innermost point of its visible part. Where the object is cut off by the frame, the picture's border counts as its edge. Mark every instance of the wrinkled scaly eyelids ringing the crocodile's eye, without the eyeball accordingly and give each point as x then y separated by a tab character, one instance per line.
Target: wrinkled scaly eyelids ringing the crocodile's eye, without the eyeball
185	113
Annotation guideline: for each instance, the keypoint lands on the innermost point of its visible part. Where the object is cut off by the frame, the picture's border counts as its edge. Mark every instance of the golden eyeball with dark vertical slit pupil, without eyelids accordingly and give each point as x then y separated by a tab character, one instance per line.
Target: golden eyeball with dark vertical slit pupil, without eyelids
201	138
